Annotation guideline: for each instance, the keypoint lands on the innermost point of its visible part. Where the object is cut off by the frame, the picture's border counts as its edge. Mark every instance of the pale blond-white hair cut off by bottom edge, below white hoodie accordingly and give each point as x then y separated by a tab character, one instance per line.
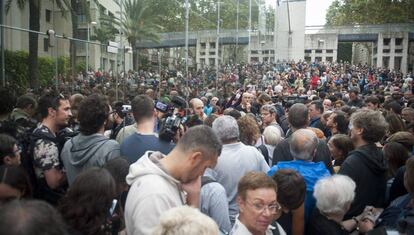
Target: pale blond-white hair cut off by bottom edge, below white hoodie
185	220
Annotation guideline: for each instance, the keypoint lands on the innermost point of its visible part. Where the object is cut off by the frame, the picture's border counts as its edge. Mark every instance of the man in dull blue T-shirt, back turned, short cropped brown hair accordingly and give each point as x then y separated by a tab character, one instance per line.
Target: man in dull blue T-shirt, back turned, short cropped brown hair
144	138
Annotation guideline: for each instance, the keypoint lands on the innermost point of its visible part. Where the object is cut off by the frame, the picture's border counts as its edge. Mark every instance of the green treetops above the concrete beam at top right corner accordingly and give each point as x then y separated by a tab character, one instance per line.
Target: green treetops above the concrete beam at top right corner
345	12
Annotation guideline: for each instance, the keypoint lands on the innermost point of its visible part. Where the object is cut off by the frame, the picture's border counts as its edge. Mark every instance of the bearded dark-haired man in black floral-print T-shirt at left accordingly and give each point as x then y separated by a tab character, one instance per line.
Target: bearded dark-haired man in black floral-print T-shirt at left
50	178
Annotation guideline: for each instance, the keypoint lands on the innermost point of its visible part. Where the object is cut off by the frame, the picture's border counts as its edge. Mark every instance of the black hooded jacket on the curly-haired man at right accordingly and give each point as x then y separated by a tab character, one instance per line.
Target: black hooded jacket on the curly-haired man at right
367	167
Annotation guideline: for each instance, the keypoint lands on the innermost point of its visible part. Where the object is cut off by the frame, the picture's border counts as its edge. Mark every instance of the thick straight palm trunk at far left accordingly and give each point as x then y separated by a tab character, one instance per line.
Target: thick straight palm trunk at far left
34	24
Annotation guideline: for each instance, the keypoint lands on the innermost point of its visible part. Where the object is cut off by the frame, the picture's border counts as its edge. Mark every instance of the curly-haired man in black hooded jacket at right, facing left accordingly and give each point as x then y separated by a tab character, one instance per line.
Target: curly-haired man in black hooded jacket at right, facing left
366	165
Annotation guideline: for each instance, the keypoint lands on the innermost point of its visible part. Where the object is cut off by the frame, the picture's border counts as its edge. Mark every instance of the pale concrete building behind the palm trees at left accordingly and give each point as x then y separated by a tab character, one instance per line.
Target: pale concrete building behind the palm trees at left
51	18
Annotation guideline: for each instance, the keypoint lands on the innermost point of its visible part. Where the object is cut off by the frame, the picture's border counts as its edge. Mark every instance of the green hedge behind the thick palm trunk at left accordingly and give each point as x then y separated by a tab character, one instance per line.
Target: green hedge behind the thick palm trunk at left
17	69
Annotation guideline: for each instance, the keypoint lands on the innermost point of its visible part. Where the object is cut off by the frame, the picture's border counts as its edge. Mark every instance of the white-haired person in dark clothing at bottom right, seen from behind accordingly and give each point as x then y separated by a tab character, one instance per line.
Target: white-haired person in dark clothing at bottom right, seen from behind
334	195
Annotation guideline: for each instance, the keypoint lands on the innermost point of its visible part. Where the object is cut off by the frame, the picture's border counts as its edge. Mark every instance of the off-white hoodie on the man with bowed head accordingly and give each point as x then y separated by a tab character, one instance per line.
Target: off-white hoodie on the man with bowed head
153	191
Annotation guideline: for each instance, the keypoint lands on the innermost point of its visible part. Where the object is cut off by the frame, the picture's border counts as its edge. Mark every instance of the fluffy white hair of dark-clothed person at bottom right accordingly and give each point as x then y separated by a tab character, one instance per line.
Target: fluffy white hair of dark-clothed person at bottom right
334	194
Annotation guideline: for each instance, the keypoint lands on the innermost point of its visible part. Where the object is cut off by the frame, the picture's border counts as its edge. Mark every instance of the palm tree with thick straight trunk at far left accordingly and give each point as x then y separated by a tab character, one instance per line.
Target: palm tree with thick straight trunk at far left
34	24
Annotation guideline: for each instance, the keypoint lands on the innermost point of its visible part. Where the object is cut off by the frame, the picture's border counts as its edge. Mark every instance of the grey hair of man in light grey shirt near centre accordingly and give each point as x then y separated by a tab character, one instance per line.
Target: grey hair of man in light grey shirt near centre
226	128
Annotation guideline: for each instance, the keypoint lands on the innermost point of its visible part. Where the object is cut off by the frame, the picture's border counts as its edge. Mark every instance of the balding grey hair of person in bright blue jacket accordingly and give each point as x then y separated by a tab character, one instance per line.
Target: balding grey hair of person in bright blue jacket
303	144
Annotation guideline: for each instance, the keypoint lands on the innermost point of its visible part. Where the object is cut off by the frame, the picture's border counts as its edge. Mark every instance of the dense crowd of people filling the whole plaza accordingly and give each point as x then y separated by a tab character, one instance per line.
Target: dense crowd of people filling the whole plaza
287	148
